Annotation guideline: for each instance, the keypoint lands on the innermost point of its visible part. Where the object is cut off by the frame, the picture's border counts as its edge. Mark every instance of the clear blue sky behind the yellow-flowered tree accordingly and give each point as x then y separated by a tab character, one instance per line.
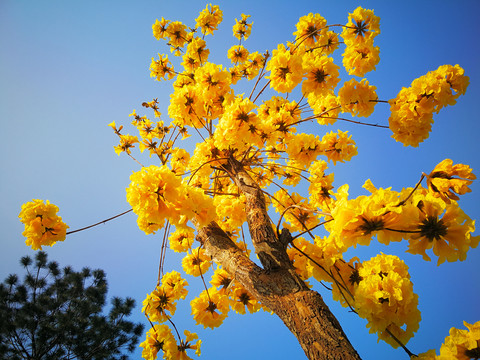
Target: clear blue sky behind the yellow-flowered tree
67	69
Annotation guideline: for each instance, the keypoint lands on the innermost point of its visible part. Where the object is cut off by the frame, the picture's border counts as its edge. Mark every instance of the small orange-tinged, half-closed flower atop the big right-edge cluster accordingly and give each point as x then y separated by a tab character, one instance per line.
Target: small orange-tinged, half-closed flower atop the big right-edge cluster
446	180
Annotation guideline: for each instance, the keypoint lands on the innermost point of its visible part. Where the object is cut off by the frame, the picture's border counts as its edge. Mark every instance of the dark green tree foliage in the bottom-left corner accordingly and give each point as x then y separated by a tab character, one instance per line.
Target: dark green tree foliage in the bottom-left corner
57	314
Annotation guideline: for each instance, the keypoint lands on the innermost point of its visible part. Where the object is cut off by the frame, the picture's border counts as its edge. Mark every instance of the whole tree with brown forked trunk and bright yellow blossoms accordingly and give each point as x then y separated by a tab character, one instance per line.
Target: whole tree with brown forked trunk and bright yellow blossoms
256	181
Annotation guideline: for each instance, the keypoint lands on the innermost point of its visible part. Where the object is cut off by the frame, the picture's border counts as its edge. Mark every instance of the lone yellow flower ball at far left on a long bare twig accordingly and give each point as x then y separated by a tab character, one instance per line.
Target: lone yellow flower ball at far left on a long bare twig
43	227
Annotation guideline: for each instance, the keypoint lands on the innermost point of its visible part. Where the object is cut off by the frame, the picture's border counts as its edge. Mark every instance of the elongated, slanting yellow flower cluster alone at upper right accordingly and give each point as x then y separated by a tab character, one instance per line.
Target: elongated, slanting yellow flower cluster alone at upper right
412	110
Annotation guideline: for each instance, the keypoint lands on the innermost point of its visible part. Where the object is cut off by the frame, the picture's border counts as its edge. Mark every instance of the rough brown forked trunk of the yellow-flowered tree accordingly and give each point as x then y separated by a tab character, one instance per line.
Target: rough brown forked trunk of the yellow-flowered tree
276	285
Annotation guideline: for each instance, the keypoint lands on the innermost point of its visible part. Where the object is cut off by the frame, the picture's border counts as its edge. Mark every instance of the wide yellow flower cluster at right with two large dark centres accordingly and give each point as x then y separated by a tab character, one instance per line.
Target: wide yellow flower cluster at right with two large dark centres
424	220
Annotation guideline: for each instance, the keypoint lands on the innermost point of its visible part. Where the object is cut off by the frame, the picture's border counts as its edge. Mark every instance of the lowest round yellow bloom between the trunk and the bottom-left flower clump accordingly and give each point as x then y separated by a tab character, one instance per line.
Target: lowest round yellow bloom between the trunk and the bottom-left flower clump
210	308
